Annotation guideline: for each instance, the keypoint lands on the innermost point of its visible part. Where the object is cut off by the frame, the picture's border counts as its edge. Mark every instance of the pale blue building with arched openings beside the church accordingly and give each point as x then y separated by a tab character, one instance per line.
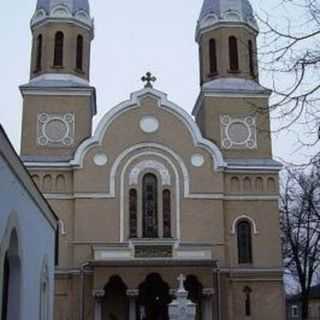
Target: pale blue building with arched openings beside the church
27	242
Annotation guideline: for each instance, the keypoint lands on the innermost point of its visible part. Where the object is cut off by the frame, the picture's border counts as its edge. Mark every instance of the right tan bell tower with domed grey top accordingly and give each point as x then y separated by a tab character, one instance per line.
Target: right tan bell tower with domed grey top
232	108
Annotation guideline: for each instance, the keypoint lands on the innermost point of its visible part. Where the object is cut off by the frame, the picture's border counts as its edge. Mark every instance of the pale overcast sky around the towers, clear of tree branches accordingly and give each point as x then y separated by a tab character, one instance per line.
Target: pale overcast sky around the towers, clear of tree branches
131	37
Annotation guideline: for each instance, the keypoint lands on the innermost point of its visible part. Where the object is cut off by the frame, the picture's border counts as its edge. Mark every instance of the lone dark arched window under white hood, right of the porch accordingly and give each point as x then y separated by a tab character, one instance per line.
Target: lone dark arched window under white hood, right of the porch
244	242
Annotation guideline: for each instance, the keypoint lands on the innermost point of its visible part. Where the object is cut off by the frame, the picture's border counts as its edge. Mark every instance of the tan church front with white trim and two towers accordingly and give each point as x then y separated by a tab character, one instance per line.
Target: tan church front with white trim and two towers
154	192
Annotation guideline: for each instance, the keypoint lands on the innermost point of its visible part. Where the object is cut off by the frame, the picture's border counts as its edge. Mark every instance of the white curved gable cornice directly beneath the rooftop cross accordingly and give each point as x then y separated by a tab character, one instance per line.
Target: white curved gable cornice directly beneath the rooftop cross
163	102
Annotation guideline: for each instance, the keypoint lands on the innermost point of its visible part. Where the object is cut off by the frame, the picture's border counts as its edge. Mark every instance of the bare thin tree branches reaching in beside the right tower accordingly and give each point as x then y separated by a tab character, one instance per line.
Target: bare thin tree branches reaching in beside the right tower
290	51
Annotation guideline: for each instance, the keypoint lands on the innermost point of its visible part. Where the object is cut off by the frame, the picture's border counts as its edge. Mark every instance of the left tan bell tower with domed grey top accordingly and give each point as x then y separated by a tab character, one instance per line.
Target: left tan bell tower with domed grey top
59	102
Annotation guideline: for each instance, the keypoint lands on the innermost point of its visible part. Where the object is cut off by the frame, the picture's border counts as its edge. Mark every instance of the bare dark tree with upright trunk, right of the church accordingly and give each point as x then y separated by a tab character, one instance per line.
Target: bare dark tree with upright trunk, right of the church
300	226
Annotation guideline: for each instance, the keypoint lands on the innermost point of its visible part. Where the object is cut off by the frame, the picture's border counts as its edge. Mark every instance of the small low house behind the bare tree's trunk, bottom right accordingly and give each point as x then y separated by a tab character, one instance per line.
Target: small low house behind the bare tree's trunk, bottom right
294	311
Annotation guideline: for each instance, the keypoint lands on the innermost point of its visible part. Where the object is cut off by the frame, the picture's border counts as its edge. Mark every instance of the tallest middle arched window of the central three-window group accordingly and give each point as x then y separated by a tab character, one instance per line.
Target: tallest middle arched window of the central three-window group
150	206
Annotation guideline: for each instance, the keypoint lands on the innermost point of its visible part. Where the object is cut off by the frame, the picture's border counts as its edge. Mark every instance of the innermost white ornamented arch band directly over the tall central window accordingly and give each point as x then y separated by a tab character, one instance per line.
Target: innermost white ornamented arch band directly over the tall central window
150	164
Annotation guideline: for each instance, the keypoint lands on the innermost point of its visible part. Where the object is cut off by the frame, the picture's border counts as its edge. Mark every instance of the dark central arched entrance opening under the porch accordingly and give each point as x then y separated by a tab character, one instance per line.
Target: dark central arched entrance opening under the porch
153	299
